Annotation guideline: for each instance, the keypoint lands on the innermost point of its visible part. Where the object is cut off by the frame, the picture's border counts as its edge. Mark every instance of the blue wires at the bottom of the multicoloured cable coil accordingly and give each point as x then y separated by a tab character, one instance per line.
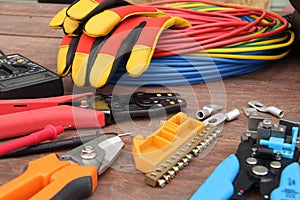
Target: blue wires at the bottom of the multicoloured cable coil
182	70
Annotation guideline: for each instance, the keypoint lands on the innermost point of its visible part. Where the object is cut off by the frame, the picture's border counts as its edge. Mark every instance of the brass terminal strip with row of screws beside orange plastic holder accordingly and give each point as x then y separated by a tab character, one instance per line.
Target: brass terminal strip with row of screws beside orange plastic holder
164	172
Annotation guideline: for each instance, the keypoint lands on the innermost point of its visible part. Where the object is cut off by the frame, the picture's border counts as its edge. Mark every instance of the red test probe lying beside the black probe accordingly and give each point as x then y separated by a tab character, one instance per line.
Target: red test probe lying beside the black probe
50	132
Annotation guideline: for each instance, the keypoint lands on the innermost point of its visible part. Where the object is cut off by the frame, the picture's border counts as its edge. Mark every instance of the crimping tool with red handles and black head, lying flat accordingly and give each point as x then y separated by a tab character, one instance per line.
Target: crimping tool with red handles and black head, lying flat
30	115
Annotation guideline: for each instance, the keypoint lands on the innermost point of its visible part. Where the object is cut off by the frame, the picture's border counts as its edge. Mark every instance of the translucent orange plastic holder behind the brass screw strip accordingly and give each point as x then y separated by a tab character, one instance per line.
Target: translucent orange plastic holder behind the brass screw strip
149	152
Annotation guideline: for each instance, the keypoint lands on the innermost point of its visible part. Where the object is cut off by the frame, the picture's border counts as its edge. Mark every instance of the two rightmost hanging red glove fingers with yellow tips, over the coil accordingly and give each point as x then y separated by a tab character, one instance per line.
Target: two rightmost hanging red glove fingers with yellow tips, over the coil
138	35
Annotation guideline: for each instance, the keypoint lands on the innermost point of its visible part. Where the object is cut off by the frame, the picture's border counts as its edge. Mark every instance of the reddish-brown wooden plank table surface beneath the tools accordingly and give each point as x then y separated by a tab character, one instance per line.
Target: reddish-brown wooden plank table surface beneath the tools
24	30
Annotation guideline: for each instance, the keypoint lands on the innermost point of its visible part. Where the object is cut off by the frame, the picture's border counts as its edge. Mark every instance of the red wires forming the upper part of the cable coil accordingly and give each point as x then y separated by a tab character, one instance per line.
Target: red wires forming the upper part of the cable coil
213	29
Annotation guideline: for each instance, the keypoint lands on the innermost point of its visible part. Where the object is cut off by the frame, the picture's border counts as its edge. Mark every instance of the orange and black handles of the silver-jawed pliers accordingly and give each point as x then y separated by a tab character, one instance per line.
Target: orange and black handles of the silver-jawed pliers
50	178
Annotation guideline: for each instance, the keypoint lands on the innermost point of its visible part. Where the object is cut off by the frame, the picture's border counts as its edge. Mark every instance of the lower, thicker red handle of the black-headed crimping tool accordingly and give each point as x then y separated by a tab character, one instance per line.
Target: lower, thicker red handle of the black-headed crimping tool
22	123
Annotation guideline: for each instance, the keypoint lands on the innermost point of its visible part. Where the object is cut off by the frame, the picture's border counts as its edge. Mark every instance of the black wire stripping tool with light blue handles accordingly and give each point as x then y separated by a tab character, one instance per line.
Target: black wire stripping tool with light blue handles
267	157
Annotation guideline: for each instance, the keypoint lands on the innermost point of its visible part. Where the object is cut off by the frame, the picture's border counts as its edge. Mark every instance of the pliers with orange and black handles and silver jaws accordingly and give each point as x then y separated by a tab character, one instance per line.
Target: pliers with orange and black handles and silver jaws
73	175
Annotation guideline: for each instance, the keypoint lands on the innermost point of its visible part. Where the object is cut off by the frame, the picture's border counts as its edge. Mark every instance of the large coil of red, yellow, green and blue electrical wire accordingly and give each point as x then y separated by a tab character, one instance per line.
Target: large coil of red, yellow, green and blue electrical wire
224	40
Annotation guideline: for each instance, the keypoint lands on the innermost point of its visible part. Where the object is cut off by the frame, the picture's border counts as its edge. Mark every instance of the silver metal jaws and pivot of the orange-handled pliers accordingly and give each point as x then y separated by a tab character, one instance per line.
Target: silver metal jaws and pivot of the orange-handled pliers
100	152
